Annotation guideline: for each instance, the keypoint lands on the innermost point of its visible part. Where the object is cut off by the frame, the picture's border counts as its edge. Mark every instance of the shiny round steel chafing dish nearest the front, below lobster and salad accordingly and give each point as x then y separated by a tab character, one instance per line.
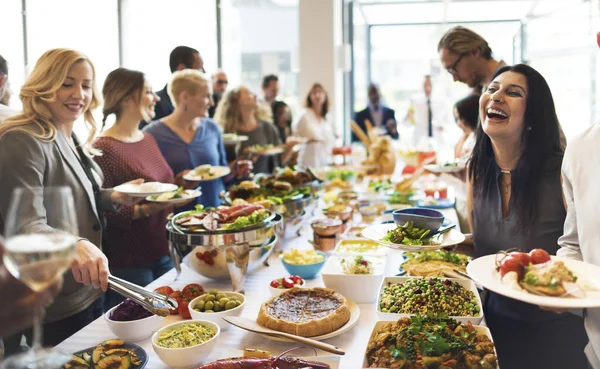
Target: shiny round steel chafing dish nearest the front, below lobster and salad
226	253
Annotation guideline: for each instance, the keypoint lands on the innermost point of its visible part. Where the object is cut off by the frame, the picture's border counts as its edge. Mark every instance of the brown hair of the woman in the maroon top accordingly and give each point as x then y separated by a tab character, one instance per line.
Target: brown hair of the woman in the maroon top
119	85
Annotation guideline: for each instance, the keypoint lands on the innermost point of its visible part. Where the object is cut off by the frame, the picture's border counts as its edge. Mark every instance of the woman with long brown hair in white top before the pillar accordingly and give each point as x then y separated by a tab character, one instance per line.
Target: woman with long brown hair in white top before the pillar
313	125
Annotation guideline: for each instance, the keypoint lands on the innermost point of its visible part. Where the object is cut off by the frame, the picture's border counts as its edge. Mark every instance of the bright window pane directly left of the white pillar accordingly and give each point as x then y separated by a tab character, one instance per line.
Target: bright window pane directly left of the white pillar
260	38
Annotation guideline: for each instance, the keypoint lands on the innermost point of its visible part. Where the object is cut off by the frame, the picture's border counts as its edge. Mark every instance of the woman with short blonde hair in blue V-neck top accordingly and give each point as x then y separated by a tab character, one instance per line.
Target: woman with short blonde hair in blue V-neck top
187	139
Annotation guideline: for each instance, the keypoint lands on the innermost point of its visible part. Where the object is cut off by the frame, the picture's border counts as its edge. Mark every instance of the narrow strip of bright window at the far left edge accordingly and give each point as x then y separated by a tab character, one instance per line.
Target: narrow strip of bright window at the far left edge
12	47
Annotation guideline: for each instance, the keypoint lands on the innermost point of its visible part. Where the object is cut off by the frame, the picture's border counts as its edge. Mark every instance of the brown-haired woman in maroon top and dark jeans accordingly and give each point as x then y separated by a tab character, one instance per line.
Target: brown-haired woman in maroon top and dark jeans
135	238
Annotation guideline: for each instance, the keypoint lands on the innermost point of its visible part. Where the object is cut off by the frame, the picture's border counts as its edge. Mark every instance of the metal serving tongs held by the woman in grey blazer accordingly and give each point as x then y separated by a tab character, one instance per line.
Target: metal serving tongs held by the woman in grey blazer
154	302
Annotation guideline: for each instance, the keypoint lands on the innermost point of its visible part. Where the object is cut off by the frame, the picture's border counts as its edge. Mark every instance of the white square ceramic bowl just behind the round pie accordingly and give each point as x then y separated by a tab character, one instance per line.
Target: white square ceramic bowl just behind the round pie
360	288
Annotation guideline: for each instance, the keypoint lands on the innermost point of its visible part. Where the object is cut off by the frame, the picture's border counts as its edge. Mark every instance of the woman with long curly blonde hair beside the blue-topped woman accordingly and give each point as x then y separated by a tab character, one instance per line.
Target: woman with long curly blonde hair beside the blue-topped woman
239	113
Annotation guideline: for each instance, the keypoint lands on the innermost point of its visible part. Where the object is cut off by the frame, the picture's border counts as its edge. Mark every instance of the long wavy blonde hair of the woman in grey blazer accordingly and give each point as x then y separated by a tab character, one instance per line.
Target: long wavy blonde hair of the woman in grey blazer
41	87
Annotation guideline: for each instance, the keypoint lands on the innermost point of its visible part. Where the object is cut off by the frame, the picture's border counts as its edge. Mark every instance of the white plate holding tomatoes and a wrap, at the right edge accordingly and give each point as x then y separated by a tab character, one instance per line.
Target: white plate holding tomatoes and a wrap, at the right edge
483	271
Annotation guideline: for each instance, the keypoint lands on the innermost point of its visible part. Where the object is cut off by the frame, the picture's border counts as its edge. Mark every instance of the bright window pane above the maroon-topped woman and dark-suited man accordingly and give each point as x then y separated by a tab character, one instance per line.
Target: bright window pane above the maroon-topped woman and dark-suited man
152	28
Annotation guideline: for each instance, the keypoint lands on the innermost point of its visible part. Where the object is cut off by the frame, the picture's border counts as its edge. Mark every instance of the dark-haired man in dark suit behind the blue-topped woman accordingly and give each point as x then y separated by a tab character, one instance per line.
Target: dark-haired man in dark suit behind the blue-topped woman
182	57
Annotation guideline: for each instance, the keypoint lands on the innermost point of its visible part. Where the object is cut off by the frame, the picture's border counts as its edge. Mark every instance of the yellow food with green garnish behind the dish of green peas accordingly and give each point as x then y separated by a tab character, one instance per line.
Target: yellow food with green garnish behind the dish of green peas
438	263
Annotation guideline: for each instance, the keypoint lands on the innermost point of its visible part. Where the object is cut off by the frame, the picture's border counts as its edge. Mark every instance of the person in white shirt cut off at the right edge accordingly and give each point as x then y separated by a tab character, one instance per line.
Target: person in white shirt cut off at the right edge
581	238
